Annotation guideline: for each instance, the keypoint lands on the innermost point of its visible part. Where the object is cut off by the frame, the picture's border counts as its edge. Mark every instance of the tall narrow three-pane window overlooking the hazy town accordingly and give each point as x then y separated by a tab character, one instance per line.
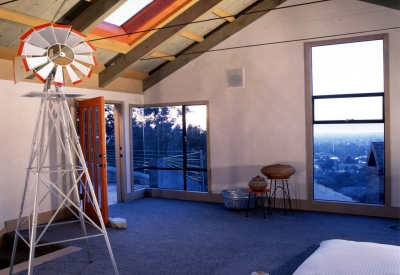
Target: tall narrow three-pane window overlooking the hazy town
347	90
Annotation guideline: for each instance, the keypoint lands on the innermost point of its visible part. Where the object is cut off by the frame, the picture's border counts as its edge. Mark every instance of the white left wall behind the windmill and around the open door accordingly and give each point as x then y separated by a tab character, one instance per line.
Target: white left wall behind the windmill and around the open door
17	122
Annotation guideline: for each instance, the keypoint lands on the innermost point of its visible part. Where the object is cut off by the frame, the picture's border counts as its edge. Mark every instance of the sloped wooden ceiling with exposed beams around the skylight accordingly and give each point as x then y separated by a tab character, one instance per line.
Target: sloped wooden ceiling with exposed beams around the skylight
192	28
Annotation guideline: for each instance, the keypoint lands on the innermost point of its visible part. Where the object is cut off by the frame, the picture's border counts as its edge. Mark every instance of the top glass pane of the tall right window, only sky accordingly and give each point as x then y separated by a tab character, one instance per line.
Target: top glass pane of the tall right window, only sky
348	68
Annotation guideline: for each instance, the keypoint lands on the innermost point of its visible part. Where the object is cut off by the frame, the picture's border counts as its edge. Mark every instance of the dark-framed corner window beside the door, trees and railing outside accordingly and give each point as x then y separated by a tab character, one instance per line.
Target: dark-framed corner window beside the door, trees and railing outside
170	147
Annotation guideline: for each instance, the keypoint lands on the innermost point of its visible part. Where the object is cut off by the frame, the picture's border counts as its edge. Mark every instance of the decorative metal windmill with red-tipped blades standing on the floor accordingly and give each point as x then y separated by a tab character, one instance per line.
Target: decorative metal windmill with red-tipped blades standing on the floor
52	51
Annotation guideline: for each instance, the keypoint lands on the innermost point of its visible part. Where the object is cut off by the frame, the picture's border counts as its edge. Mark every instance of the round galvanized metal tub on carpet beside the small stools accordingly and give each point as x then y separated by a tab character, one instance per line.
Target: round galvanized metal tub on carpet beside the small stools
237	199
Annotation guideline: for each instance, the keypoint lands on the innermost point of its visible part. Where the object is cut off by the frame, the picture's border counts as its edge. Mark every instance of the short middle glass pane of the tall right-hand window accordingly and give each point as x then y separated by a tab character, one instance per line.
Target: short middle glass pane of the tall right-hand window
352	108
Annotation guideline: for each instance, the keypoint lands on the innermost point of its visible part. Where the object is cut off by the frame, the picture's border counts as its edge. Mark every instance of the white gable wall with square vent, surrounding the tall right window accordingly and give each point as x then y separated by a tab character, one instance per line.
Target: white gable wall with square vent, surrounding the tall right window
264	123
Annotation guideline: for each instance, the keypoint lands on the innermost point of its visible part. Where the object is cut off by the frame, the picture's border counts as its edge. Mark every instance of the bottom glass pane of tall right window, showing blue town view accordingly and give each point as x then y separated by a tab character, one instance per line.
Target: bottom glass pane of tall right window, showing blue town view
349	163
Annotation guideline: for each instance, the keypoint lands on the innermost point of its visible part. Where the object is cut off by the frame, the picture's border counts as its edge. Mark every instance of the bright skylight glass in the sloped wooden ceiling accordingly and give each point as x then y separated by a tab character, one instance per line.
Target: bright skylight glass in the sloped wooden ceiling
126	11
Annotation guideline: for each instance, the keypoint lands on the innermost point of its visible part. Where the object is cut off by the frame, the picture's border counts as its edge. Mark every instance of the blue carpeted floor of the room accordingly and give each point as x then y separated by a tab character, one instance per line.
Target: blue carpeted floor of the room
181	237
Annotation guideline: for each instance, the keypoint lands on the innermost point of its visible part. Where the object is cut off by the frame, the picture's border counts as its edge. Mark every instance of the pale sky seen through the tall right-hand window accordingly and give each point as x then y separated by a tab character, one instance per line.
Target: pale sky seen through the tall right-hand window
348	68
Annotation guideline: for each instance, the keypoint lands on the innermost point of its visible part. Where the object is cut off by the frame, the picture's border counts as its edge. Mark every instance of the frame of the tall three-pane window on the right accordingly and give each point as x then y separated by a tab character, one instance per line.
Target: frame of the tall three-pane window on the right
337	206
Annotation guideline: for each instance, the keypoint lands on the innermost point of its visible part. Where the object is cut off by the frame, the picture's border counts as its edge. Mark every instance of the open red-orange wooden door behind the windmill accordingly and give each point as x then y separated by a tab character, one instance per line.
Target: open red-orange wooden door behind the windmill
92	139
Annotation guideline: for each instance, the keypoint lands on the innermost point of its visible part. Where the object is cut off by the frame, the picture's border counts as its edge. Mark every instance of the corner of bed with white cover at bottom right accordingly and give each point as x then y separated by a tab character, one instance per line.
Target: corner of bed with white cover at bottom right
341	257
